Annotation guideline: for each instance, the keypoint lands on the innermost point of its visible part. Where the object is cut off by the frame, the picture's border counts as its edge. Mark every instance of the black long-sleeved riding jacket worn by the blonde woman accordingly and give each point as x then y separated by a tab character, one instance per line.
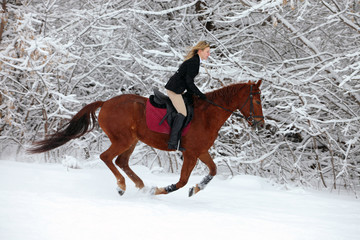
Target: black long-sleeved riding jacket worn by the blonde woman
183	79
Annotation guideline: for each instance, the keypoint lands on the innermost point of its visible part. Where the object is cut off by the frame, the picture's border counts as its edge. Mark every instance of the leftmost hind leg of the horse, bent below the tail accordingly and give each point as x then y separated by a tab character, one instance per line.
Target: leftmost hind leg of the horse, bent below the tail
108	157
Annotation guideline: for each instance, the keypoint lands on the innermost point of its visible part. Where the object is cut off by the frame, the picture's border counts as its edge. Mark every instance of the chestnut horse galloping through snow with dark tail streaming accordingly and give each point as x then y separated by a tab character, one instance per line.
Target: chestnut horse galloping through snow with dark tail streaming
123	120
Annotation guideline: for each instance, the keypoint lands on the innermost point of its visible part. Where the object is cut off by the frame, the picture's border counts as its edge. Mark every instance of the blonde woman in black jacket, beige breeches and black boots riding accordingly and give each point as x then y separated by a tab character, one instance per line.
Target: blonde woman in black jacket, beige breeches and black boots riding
183	80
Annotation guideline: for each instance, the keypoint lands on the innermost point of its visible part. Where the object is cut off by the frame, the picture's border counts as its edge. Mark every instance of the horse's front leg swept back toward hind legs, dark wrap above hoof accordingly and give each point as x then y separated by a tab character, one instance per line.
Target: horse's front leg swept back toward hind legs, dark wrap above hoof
187	167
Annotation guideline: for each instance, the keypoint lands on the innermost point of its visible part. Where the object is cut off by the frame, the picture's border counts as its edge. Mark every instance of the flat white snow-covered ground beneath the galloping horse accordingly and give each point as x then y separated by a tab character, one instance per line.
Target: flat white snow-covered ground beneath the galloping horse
50	202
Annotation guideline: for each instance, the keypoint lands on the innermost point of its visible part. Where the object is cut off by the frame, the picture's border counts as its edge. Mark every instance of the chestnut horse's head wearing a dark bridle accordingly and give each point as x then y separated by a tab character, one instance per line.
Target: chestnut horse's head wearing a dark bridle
251	108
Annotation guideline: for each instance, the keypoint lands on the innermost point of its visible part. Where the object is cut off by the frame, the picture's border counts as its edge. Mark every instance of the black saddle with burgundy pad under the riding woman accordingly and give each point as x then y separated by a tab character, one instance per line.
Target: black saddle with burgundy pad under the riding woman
161	112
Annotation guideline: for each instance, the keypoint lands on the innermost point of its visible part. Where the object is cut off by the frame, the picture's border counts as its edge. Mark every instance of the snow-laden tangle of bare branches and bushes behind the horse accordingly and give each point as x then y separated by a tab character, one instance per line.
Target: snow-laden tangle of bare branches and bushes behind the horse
59	55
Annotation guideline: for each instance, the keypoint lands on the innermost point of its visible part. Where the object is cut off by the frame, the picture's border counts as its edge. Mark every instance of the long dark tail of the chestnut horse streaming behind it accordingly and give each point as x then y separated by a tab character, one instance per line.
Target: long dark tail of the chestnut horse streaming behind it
78	126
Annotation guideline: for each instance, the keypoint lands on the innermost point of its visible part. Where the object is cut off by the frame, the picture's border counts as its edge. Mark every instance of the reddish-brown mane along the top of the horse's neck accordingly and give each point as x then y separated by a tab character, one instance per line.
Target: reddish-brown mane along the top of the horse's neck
227	93
